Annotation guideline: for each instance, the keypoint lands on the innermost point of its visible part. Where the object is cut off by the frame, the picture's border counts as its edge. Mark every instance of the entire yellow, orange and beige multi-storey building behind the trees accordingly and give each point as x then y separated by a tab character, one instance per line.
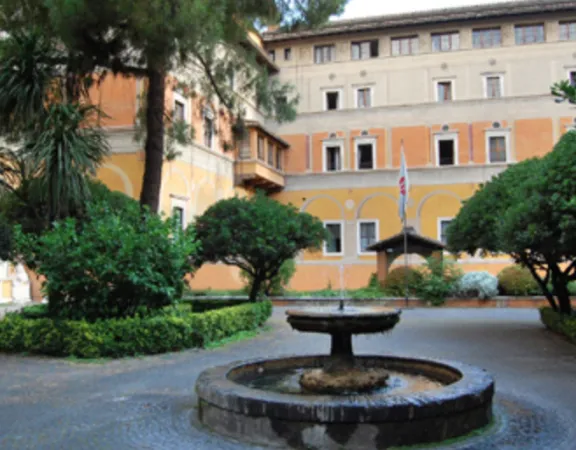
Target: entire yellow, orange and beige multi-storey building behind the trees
465	93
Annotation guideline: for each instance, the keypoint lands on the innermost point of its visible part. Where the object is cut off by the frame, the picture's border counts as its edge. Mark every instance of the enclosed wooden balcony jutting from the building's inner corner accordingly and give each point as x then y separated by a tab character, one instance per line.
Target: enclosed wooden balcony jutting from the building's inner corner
260	160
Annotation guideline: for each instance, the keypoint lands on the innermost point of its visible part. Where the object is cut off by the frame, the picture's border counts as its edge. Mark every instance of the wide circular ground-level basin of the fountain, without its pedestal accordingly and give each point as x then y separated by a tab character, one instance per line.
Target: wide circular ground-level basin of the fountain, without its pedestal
426	401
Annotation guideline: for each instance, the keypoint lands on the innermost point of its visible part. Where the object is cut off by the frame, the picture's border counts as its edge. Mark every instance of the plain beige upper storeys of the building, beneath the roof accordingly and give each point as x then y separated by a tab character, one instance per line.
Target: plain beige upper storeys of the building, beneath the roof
514	66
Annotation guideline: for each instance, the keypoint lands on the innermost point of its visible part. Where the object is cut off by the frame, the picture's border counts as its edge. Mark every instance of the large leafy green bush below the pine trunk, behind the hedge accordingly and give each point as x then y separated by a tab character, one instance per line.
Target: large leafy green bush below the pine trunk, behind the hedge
112	264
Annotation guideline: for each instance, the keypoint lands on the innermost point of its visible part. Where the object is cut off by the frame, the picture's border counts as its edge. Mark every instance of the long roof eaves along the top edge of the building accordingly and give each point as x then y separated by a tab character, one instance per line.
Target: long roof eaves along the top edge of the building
437	16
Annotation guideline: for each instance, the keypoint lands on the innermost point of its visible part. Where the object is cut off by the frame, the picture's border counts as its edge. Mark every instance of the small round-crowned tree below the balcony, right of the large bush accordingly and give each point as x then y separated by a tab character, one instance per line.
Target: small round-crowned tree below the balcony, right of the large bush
256	234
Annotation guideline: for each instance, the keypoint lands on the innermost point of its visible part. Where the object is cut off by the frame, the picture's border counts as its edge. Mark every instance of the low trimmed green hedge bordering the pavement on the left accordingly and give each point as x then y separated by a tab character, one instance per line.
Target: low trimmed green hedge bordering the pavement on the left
114	338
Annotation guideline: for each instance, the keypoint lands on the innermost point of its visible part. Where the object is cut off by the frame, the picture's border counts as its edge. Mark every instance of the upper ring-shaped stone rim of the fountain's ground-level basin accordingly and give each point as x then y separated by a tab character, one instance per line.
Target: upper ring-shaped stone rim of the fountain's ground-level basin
473	390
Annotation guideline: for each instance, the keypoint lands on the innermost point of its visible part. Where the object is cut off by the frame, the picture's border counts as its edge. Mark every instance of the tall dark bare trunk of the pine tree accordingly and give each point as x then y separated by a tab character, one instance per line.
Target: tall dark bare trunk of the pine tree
154	148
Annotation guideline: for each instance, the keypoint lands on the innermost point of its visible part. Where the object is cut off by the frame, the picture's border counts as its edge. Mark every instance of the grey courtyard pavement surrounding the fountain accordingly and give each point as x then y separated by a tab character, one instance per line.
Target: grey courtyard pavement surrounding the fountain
149	403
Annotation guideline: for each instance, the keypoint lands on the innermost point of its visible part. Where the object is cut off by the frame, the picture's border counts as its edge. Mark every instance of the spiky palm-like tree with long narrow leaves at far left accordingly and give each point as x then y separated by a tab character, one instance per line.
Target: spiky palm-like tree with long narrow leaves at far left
55	142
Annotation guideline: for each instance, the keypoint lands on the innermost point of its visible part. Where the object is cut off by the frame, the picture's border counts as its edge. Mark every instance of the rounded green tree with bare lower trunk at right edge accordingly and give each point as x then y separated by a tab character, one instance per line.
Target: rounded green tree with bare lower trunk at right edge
528	212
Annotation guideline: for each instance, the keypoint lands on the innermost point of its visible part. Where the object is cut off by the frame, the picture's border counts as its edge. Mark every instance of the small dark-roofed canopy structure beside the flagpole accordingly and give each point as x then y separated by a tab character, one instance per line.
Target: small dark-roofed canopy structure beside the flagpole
391	248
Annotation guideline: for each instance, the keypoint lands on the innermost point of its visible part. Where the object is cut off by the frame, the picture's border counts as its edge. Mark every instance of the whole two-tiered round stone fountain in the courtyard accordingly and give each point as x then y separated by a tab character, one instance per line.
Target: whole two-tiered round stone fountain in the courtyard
342	400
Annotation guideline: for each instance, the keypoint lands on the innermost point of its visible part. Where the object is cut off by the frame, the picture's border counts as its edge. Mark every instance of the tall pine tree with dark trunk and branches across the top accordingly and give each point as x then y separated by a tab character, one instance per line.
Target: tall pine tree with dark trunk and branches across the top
205	41
